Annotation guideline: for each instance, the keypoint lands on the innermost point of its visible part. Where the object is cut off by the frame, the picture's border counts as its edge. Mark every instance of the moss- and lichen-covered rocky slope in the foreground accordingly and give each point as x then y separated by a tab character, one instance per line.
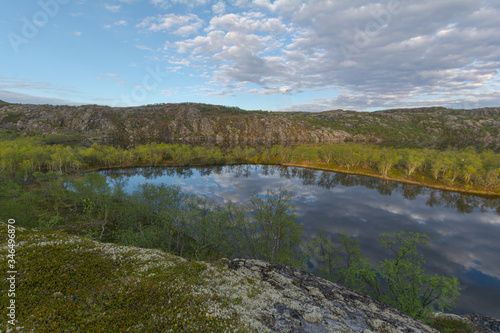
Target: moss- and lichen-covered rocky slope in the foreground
70	283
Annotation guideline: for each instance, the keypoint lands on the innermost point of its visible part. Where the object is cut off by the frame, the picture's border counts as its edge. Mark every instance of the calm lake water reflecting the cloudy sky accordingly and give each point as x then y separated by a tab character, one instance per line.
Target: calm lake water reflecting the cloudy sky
464	230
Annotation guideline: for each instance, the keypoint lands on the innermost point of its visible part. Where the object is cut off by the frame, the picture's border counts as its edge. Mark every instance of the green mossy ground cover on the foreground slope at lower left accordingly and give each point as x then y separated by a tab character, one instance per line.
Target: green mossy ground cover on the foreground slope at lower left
73	284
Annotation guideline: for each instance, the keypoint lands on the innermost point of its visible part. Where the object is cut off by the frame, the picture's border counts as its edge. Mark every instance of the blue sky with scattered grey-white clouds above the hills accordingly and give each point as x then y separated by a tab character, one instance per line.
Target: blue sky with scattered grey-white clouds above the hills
281	55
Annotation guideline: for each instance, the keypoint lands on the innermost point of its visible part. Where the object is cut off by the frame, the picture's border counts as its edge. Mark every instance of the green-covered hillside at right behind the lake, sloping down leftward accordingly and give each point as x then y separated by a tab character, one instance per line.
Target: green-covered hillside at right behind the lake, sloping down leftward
422	127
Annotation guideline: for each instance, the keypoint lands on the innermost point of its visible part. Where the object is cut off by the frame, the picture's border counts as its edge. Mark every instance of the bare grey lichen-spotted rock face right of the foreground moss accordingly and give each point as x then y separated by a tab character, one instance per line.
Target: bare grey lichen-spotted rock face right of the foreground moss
305	303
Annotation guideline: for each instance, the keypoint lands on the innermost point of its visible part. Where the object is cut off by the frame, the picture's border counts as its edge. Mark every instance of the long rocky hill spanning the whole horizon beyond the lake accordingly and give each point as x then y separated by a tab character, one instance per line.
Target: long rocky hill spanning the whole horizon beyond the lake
189	122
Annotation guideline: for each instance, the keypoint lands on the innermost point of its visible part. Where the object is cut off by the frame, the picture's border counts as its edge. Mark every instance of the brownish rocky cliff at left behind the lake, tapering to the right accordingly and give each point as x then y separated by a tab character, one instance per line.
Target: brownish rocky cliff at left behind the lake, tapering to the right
167	123
